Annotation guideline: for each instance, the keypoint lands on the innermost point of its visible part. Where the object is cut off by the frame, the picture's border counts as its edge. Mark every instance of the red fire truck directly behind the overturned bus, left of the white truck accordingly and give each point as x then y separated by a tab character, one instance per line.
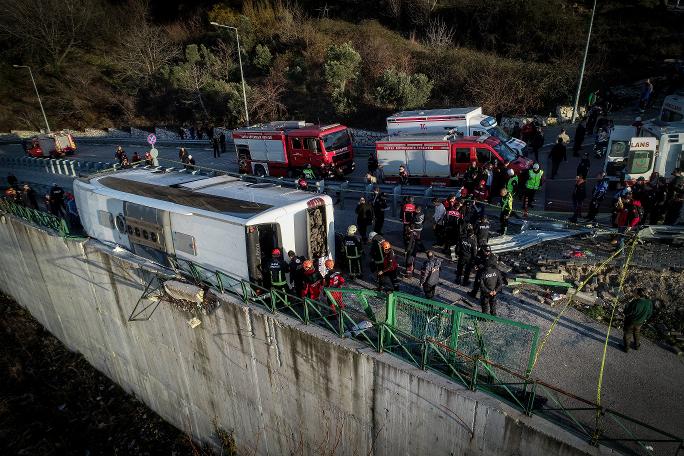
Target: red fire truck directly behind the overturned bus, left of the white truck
286	148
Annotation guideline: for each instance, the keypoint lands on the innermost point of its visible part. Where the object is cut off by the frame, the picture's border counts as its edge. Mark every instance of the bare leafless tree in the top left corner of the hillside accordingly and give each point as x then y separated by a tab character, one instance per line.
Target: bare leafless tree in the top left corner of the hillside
51	29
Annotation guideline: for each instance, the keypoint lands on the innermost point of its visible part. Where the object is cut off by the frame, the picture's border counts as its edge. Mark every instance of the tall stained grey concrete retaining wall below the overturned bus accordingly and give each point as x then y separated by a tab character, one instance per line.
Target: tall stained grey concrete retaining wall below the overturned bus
281	386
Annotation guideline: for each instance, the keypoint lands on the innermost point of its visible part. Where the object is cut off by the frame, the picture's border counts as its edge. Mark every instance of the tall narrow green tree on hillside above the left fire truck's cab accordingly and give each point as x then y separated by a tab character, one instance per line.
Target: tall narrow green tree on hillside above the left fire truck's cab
340	67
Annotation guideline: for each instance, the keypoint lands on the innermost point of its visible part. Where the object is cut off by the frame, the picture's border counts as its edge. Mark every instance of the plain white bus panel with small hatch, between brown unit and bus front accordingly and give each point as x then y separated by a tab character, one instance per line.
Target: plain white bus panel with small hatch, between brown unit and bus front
218	244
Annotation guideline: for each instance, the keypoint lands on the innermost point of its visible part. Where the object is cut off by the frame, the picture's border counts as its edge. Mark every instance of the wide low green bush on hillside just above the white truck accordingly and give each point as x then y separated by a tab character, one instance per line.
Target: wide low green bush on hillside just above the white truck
397	89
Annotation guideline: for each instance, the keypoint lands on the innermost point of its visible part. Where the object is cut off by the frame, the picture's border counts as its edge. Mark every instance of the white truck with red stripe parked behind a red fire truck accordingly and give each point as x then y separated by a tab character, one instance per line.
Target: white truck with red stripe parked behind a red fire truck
462	121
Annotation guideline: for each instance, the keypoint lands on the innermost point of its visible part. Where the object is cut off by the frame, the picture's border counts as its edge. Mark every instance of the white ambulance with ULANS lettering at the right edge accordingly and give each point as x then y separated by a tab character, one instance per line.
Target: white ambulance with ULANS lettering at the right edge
657	150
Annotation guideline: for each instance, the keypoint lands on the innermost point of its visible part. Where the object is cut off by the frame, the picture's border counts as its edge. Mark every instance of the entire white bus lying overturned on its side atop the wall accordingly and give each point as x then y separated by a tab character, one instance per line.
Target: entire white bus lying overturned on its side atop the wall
221	223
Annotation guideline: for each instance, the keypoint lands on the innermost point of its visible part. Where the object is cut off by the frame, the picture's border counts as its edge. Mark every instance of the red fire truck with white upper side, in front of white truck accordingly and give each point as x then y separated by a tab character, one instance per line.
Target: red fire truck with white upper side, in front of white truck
441	160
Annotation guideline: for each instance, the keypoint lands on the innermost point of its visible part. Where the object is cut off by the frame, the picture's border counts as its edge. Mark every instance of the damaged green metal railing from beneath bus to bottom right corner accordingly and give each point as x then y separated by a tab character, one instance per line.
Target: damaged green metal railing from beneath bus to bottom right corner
462	344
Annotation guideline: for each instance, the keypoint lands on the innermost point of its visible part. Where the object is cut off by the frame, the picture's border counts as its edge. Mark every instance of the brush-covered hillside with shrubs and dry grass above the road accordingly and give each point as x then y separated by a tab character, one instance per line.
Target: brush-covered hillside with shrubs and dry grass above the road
105	63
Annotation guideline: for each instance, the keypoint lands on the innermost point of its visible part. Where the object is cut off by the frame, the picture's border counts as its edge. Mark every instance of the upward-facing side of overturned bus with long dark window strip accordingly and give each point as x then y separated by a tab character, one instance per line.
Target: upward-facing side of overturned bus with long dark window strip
225	195
